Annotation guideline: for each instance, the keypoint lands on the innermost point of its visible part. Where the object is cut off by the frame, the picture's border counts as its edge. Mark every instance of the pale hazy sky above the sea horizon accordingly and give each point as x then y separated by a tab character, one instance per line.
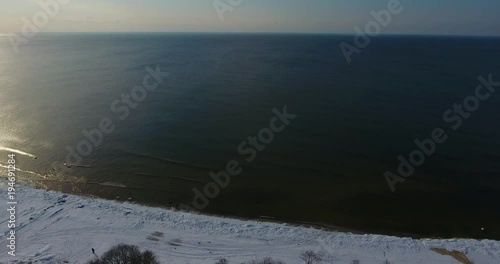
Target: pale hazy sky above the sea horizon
435	17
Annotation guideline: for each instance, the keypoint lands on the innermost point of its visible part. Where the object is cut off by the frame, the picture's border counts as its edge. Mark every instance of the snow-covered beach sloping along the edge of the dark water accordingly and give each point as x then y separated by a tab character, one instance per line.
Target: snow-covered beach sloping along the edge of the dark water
57	227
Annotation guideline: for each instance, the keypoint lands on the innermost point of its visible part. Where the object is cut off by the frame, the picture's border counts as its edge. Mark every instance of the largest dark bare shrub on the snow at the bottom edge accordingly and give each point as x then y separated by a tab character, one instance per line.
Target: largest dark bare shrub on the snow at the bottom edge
126	254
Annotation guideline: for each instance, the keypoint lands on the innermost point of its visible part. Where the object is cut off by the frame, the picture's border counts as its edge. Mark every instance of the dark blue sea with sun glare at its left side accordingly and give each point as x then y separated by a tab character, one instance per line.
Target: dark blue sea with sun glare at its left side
327	167
